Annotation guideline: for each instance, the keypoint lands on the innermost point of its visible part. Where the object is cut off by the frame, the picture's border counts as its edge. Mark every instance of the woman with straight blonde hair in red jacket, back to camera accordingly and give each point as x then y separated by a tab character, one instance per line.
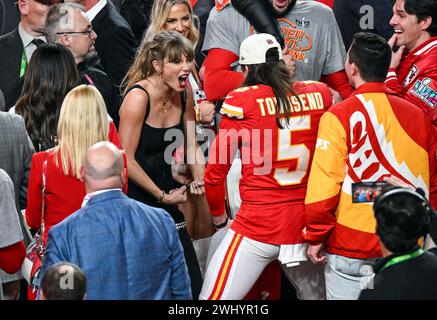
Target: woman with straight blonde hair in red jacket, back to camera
83	121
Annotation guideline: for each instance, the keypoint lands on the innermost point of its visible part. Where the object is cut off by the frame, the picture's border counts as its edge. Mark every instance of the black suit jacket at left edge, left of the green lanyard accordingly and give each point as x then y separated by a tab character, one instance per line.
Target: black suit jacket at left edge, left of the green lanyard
11	51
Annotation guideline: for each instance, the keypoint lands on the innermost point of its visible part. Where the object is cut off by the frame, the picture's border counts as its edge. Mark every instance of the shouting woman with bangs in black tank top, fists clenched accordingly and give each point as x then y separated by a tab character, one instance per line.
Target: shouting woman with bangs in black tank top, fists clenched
156	117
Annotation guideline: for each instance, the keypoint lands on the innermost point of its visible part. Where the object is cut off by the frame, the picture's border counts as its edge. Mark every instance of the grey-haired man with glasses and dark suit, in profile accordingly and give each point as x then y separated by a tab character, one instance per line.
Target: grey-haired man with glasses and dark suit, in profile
68	25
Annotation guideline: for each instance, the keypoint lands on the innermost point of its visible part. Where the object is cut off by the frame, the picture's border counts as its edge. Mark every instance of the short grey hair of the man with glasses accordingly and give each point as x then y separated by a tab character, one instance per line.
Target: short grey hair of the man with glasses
60	19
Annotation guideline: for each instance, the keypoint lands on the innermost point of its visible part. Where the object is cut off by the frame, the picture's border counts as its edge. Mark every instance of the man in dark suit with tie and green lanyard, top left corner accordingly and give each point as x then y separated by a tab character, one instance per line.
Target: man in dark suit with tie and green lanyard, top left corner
18	45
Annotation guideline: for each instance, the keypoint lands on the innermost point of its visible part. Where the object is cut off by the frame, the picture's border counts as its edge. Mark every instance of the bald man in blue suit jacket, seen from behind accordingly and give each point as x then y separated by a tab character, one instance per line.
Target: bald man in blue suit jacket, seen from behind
127	249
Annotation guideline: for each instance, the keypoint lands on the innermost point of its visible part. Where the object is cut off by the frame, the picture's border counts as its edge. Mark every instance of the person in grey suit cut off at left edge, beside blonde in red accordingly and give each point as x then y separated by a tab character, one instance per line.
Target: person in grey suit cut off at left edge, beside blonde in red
16	150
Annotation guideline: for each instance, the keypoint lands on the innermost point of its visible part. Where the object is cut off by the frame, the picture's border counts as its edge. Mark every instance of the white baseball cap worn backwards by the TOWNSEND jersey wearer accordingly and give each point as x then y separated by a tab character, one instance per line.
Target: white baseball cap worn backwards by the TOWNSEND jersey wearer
254	48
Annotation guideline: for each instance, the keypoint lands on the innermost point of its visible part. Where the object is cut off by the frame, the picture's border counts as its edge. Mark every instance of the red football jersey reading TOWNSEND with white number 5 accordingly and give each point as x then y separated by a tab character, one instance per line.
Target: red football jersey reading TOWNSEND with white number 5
275	162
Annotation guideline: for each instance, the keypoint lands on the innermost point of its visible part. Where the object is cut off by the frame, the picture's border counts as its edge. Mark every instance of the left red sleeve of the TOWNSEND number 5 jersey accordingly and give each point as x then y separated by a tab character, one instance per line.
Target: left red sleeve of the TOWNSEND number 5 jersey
219	163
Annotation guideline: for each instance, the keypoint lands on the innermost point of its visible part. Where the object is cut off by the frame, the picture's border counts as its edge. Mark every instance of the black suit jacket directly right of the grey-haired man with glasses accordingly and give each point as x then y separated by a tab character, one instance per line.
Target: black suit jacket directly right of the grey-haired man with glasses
115	43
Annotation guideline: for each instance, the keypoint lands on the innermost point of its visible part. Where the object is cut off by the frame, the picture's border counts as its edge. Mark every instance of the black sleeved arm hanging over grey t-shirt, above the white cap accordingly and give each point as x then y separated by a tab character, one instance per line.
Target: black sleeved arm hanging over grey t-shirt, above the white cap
261	17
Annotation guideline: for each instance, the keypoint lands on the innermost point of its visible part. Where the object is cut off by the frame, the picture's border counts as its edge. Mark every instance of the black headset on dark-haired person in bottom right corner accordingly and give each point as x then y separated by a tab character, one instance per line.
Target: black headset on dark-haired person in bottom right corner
422	201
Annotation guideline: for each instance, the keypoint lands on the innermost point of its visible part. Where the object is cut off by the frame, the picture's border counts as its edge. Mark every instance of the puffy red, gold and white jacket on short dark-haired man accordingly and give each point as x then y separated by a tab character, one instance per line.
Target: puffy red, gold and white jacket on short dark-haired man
366	137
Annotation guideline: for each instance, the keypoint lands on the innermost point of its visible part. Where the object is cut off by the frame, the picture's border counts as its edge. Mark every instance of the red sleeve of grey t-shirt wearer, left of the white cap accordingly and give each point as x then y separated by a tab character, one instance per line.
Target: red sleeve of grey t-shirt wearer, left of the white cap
219	77
